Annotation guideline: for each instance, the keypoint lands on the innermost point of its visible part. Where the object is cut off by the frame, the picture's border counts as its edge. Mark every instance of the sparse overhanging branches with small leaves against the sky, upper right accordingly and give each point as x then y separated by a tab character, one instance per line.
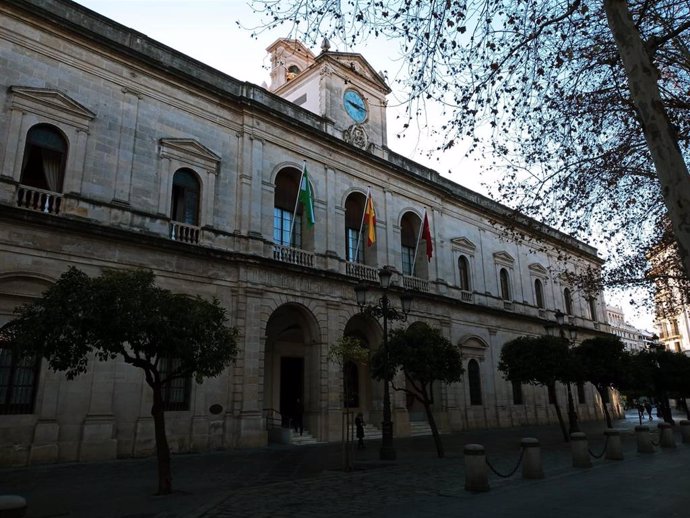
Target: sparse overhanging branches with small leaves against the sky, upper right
584	103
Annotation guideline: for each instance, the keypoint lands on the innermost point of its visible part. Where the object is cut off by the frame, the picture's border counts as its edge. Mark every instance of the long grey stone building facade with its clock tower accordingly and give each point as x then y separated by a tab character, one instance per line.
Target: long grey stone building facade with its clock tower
118	152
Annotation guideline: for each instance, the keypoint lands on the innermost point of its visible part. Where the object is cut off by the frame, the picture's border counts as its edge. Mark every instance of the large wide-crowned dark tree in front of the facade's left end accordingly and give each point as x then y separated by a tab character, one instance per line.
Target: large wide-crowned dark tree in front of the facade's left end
123	314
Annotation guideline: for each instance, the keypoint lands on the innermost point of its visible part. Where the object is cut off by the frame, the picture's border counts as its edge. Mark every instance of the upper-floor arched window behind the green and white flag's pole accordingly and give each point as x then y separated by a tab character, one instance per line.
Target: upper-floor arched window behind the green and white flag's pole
284	202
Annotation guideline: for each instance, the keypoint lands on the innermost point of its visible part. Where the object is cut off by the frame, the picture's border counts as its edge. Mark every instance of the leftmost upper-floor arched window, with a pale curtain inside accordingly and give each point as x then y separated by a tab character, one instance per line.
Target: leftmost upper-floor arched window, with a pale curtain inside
45	156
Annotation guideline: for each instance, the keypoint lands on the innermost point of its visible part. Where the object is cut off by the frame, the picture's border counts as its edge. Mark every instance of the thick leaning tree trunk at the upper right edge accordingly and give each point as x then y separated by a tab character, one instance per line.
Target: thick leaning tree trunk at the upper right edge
659	133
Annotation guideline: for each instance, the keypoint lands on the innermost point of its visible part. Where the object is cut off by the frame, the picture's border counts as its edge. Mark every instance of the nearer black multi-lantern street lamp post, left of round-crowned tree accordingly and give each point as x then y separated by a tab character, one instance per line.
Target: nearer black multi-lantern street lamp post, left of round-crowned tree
384	311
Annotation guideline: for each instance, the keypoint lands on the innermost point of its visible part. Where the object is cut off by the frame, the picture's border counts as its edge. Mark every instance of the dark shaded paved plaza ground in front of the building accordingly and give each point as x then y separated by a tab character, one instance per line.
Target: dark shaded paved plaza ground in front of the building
308	481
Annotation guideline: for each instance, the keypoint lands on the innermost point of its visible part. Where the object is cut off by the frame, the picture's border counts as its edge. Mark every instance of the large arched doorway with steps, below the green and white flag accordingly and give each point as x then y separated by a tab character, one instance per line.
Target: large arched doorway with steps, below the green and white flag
291	365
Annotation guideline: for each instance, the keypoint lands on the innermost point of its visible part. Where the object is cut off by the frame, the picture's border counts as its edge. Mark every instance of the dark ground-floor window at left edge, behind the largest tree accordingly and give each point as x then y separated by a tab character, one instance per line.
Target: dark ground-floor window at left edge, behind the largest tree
18	383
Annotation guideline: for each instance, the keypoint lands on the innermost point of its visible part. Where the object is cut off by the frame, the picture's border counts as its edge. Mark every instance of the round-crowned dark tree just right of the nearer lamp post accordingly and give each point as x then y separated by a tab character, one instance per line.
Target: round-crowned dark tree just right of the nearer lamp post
425	356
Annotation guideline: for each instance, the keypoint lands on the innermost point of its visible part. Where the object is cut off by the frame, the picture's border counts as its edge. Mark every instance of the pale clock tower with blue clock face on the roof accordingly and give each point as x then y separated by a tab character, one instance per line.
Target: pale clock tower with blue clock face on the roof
339	86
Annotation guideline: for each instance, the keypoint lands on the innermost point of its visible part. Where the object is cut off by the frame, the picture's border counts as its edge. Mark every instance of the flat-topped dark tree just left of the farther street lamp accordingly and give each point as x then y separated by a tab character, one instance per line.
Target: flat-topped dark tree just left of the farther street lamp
538	360
